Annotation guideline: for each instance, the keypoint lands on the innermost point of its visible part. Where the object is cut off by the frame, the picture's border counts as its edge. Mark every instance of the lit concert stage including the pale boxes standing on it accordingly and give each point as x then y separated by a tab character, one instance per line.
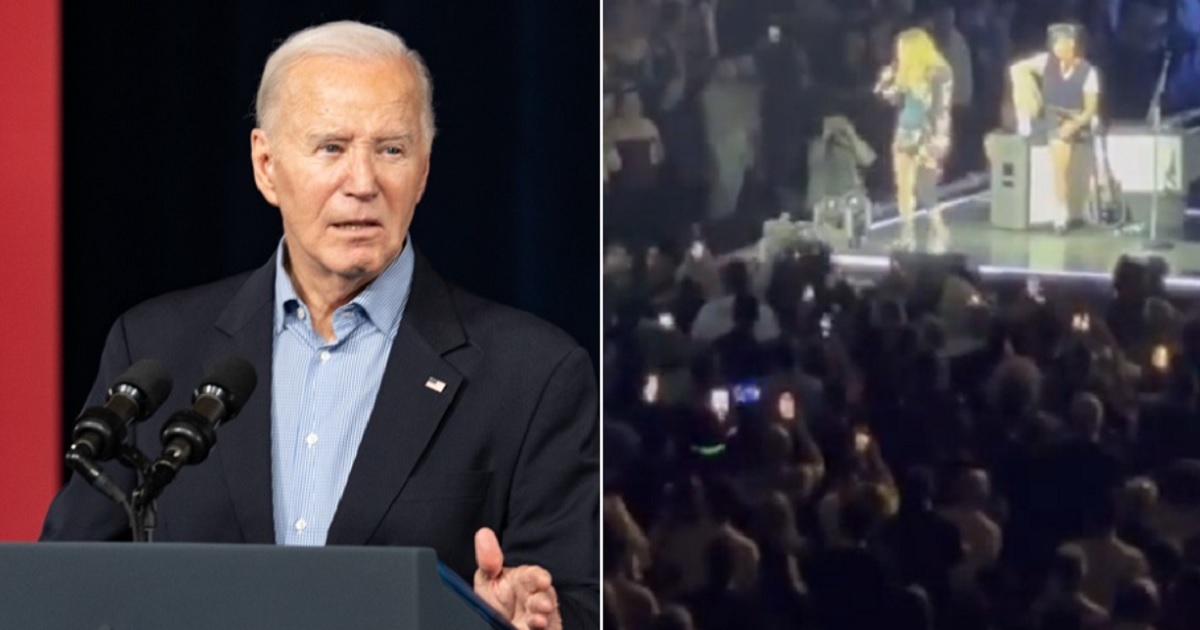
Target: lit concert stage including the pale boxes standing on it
1015	239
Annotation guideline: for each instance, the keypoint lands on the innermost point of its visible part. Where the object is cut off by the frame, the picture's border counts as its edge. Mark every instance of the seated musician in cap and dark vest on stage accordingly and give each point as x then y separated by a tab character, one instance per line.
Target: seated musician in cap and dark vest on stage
1066	109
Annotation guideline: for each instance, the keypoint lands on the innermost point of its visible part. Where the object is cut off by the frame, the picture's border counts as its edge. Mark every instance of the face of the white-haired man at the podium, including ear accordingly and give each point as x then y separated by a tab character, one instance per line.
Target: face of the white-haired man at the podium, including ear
346	164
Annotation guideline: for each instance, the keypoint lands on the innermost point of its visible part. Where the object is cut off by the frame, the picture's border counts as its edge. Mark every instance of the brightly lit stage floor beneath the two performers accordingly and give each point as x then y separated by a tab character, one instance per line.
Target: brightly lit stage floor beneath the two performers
1085	254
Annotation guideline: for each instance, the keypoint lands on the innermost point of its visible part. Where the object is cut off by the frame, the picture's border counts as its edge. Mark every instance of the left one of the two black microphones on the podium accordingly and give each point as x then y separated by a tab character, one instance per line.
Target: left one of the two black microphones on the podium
139	393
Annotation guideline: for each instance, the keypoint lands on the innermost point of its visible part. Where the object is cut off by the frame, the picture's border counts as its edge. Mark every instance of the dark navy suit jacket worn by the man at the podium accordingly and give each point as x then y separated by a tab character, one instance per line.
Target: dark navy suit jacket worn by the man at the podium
512	442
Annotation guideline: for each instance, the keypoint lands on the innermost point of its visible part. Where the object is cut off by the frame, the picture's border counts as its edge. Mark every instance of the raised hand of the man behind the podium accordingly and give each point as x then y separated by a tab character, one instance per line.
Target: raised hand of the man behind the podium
523	595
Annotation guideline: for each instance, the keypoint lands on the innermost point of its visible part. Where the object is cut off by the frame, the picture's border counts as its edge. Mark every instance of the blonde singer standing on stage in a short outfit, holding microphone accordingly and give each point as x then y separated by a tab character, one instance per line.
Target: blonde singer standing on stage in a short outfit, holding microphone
920	82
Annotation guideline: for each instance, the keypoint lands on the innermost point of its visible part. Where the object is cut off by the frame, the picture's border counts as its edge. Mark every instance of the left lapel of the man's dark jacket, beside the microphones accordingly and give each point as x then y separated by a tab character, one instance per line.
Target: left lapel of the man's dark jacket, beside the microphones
245	443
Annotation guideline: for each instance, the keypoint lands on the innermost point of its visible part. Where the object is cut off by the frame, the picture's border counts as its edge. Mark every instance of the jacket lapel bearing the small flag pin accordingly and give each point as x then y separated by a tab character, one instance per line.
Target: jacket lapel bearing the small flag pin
407	411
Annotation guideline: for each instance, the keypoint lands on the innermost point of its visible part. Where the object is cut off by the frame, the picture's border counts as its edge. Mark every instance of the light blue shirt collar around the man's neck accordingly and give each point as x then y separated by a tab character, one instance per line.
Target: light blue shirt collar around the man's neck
383	301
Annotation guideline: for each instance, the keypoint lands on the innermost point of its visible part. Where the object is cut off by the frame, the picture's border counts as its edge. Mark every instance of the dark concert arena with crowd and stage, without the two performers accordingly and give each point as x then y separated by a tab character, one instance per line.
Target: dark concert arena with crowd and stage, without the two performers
815	423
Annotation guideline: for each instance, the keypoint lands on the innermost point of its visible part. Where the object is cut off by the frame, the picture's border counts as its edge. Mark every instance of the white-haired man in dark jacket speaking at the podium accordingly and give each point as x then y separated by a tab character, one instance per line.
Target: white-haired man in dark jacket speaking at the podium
394	409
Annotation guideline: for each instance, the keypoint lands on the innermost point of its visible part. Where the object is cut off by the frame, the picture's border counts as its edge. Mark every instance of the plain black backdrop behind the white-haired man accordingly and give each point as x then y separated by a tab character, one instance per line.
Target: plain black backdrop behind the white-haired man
159	193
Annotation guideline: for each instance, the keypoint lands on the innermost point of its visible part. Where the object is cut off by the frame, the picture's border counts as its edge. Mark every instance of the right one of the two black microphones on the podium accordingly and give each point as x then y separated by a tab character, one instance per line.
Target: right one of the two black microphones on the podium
189	435
